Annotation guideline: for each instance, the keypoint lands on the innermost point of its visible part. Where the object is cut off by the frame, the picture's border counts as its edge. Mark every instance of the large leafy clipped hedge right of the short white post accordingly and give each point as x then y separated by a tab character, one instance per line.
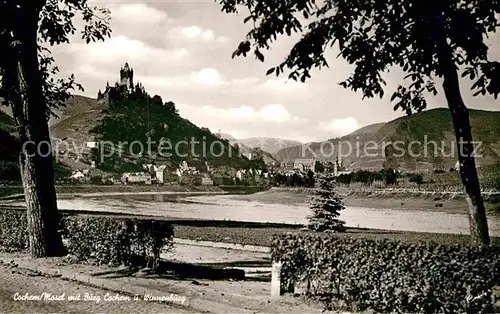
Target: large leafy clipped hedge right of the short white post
389	276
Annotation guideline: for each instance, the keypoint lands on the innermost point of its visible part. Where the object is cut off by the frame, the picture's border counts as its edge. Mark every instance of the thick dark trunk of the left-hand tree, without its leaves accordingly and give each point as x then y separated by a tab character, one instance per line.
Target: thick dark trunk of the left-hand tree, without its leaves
23	82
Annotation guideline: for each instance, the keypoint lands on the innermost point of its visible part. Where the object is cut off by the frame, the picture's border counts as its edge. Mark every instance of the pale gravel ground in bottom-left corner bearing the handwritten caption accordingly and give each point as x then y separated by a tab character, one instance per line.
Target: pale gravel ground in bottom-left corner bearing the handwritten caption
17	284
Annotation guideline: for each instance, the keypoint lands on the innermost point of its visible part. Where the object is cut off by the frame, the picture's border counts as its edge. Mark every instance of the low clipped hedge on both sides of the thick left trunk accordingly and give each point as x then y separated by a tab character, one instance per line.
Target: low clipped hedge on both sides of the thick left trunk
97	240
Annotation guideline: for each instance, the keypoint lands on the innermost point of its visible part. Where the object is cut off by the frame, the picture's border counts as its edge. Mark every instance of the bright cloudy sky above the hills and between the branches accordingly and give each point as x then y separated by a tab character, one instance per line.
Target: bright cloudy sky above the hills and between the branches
181	50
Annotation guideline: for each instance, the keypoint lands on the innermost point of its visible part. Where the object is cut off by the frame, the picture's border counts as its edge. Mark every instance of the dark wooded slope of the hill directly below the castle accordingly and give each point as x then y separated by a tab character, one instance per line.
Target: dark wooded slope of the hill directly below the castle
142	129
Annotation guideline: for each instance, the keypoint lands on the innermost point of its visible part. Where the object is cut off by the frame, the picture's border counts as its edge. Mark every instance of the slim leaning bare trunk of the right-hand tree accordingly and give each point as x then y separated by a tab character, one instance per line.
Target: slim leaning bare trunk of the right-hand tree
465	145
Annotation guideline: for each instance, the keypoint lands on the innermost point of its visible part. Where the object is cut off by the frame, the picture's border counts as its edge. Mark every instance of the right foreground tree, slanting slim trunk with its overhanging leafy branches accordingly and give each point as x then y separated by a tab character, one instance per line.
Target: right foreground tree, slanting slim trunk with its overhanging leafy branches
429	40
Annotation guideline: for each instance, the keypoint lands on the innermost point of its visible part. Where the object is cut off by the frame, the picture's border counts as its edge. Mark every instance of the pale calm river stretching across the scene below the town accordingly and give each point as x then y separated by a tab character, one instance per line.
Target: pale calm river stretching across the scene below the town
231	207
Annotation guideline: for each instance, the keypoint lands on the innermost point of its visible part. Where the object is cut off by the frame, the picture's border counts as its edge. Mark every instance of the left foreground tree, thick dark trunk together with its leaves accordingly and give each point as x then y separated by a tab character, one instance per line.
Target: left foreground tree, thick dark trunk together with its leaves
29	87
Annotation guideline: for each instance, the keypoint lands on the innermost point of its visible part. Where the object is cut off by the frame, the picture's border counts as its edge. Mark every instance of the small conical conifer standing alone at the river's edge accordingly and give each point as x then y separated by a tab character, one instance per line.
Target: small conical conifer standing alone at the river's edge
326	206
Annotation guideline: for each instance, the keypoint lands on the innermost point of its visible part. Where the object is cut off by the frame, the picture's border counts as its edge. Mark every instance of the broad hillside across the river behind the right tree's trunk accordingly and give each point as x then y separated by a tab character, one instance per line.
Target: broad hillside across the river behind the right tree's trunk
391	143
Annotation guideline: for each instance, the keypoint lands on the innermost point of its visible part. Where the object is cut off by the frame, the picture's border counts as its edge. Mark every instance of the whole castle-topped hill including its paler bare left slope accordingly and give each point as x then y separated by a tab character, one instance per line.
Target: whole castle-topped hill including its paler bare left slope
126	113
